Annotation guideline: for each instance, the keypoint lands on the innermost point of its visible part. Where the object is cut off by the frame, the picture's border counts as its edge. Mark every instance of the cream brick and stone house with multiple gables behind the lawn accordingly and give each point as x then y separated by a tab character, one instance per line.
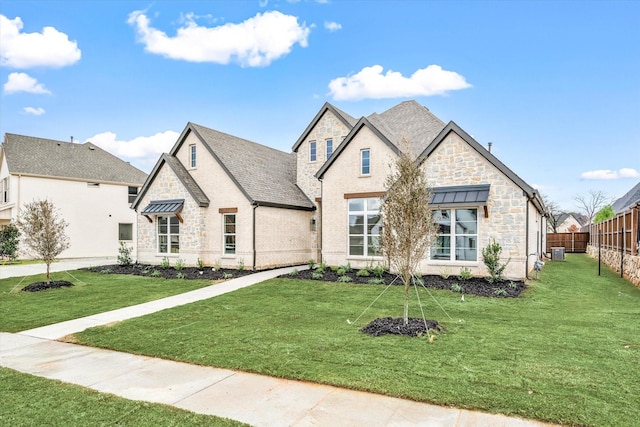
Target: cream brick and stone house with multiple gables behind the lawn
228	201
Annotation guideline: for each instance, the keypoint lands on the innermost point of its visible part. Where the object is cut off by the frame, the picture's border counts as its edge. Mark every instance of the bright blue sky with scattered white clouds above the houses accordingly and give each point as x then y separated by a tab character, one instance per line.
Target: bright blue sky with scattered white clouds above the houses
555	85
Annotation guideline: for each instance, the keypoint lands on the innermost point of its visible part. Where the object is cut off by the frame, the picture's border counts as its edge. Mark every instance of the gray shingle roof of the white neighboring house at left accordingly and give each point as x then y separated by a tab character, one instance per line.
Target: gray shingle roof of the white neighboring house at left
46	157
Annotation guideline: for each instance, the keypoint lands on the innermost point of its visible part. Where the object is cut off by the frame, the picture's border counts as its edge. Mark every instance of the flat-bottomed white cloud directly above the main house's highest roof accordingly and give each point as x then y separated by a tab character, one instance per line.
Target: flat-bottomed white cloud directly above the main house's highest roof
371	83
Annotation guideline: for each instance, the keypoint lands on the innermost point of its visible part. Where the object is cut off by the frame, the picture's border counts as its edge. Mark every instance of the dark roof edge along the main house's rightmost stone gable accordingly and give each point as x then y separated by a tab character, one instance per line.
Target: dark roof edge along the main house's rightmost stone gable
453	127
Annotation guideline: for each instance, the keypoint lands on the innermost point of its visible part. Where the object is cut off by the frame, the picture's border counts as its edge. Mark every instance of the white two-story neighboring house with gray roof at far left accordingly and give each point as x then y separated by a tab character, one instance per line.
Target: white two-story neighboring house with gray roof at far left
91	189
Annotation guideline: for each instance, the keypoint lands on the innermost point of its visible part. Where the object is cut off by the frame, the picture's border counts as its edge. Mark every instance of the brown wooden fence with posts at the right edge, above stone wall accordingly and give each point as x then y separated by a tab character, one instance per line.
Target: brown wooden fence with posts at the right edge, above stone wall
618	233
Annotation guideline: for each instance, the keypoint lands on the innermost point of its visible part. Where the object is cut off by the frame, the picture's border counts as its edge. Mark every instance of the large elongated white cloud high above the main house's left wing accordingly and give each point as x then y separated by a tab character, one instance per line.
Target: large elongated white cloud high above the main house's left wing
255	42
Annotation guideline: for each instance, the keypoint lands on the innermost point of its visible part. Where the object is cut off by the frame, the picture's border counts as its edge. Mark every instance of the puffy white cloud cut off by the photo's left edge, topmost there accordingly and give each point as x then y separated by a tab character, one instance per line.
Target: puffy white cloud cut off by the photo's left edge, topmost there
50	48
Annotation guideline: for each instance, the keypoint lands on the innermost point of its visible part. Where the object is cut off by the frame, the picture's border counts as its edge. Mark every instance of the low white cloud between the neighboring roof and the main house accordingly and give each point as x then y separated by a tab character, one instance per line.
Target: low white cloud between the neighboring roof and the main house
143	151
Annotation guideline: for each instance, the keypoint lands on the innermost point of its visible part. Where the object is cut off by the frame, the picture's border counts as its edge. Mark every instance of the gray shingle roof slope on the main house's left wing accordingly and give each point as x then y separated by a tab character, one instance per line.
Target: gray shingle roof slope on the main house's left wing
266	176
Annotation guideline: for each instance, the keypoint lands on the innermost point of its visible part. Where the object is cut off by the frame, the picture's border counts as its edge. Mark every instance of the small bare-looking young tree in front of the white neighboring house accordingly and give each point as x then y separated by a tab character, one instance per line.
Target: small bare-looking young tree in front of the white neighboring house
43	231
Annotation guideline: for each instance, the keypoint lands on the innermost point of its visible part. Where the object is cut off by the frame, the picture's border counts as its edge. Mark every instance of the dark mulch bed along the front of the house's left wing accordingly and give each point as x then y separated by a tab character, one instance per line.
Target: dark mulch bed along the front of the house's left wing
206	273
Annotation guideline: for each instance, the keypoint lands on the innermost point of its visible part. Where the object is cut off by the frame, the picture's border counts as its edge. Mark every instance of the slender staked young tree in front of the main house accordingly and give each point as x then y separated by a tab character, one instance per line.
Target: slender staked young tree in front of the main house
408	228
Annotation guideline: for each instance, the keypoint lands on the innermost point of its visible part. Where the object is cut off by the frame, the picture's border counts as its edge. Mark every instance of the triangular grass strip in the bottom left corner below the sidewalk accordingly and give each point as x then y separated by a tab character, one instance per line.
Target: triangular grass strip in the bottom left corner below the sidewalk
32	401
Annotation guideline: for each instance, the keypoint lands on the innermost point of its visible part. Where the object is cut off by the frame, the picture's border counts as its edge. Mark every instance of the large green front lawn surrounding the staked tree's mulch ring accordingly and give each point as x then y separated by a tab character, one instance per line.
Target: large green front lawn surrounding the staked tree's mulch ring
567	351
